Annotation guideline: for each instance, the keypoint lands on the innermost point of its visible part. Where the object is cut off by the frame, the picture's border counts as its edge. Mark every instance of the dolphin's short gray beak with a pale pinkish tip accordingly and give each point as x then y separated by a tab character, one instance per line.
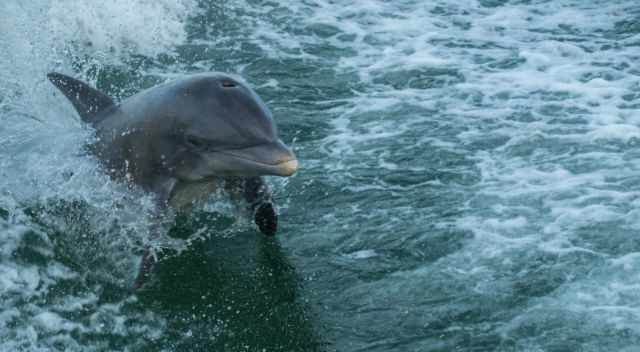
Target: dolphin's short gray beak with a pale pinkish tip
273	158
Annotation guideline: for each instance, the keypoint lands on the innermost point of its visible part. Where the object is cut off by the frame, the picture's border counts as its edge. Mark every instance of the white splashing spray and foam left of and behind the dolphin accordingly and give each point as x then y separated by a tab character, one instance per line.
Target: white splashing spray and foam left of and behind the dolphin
42	164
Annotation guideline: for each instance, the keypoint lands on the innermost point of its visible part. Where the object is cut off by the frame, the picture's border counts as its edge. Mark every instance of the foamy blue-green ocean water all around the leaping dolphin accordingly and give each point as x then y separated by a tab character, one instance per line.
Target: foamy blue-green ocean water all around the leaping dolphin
470	179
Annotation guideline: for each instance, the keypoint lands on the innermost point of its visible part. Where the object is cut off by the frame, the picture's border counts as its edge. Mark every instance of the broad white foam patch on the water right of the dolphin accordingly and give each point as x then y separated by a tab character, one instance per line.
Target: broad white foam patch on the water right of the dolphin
536	98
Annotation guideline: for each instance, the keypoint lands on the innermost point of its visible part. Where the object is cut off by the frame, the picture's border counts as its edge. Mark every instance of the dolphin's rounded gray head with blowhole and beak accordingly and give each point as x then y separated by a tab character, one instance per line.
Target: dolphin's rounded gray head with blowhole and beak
222	128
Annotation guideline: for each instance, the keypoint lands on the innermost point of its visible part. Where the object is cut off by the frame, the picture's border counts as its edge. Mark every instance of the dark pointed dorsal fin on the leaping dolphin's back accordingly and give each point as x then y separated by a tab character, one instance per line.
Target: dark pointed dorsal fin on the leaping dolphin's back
88	101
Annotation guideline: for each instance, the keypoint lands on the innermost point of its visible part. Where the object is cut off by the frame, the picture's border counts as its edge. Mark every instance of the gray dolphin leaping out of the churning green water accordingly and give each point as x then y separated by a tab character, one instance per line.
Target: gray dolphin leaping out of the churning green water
183	140
